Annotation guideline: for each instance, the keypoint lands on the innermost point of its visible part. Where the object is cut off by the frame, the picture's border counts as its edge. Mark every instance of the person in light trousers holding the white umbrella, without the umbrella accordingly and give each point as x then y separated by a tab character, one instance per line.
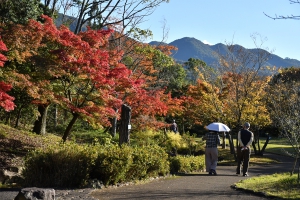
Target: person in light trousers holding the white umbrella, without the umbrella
211	151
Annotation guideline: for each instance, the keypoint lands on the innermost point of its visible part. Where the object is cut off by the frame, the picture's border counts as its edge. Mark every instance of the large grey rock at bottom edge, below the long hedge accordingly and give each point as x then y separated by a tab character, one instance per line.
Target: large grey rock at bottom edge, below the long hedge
36	194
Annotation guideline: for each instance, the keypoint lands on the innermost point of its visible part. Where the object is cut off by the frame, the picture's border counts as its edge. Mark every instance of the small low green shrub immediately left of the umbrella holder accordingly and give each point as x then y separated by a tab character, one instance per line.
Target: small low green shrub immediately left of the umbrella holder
186	164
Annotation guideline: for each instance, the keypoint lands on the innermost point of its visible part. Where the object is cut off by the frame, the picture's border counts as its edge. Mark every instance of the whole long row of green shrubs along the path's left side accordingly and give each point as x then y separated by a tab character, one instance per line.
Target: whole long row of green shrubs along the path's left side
71	165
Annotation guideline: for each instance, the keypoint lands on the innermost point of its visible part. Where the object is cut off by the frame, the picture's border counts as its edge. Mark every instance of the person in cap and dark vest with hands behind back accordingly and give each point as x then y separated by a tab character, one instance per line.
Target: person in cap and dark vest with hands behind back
245	139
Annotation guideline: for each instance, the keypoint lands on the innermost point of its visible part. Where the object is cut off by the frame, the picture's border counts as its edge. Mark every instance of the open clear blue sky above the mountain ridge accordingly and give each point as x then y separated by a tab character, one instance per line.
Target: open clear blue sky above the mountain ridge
230	21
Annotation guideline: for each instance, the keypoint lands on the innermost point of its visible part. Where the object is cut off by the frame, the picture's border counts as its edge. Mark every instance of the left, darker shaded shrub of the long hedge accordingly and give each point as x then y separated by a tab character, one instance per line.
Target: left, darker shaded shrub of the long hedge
63	165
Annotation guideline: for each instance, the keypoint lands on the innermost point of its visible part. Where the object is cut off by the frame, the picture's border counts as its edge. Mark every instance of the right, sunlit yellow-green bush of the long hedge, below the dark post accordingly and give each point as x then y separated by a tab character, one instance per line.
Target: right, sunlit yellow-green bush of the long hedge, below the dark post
115	164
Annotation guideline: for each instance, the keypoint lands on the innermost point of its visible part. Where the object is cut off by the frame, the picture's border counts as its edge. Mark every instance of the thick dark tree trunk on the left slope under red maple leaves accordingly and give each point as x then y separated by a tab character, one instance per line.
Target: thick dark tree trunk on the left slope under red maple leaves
41	123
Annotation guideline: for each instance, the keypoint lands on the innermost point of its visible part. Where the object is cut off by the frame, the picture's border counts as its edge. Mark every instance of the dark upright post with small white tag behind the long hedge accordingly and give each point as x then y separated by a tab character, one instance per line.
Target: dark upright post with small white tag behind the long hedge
124	135
